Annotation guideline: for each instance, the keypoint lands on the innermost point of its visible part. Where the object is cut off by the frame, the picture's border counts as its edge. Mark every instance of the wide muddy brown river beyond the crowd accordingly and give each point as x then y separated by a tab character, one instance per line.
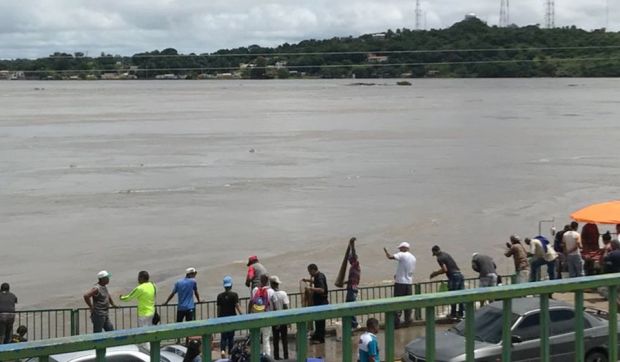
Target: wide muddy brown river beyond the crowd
163	175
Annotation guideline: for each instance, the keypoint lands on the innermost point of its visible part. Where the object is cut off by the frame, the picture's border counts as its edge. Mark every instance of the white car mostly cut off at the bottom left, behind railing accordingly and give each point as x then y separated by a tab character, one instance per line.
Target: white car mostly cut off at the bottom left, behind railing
129	353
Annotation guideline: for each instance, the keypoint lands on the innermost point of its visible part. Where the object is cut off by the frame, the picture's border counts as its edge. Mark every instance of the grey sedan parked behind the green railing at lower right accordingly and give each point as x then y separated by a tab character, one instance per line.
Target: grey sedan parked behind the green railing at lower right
525	327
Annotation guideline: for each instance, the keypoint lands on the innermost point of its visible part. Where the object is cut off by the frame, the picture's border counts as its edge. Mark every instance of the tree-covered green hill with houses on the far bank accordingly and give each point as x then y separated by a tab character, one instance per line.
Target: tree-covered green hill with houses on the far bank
469	48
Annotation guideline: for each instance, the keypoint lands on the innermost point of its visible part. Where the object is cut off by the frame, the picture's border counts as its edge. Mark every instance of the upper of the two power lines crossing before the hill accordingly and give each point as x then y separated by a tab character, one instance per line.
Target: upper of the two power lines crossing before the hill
417	51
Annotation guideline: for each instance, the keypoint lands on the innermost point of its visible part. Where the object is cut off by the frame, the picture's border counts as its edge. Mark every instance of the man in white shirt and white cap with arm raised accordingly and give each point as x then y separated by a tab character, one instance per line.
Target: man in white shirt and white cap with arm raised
403	277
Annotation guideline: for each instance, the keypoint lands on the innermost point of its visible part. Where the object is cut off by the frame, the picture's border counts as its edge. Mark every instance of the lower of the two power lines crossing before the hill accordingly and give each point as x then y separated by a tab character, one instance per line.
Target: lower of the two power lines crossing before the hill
318	66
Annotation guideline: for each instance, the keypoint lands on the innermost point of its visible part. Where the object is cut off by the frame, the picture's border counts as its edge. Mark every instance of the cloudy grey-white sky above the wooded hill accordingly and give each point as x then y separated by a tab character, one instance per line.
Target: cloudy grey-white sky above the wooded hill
34	28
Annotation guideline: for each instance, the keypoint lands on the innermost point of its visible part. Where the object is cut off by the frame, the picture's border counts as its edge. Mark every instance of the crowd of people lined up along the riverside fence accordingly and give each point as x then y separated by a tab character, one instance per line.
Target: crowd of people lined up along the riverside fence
266	295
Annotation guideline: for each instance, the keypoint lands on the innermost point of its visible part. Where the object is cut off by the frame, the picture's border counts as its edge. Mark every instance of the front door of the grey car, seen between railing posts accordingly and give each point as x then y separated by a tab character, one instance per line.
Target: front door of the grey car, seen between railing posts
528	330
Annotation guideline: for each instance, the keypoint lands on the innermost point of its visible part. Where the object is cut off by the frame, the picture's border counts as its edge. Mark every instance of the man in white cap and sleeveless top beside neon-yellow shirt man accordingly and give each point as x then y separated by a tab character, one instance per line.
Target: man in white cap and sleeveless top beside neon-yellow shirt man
99	301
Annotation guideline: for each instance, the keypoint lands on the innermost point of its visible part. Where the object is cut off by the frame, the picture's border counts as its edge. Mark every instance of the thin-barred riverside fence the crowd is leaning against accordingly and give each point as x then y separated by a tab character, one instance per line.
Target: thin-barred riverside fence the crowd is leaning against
52	323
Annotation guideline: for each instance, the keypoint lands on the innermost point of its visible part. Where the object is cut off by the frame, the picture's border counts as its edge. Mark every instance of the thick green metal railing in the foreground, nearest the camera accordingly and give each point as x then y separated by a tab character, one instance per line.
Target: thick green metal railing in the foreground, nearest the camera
344	311
